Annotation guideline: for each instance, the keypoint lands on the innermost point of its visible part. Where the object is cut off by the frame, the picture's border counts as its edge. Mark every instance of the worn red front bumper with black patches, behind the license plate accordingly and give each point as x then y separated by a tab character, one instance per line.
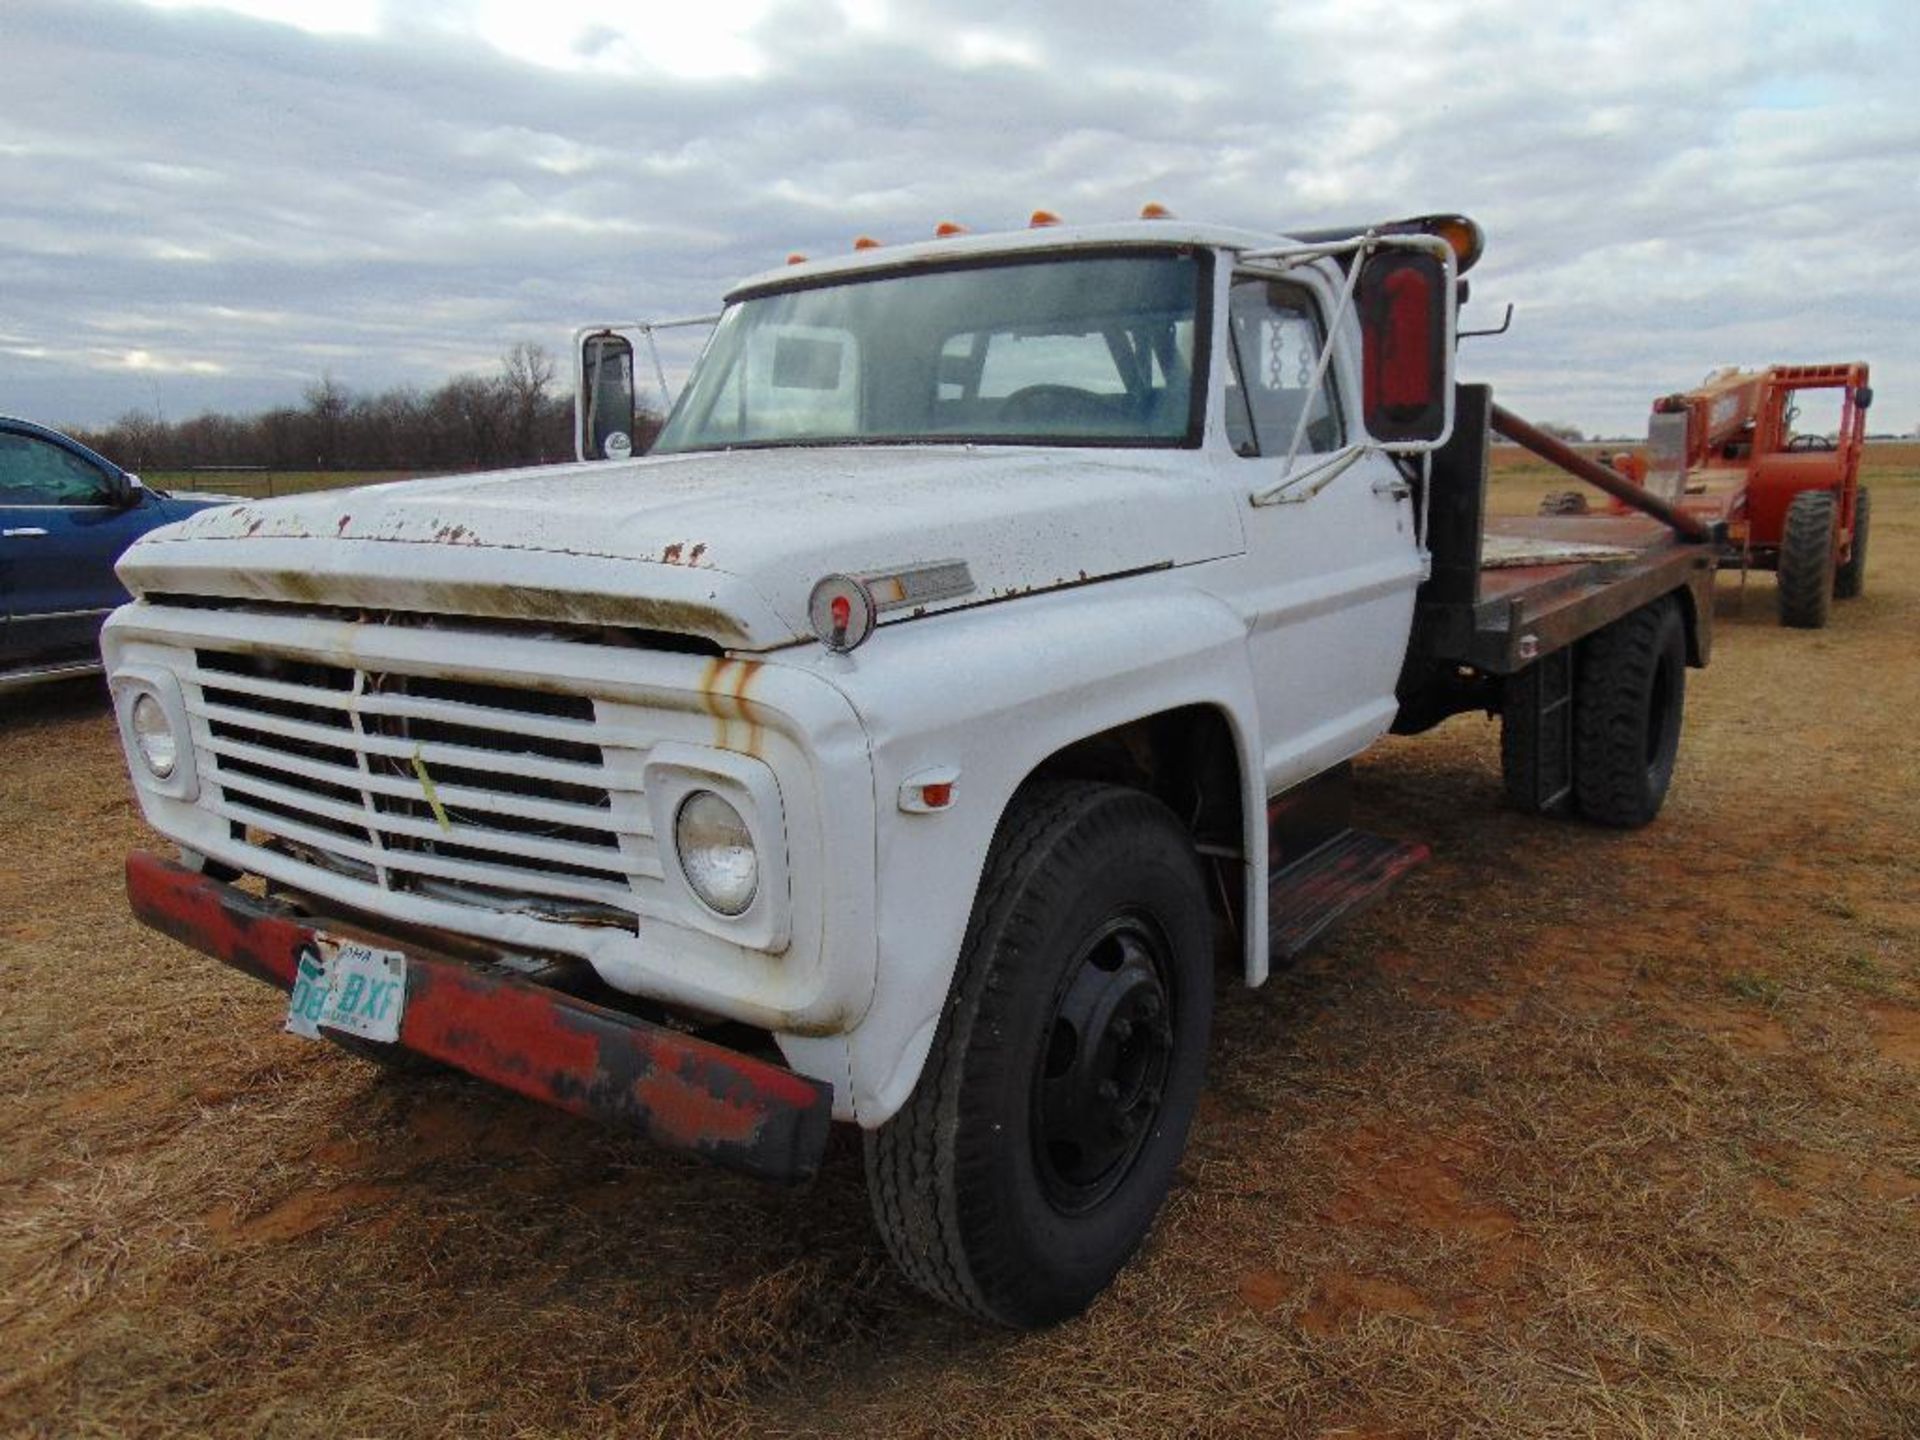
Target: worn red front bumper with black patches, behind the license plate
552	1047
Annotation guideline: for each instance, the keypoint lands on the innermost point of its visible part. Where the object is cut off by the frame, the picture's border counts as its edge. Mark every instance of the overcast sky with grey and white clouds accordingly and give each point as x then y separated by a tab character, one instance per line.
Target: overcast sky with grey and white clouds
208	206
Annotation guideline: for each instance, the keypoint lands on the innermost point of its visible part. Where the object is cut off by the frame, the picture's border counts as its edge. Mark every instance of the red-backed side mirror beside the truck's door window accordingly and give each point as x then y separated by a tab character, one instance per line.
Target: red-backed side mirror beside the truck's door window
1403	302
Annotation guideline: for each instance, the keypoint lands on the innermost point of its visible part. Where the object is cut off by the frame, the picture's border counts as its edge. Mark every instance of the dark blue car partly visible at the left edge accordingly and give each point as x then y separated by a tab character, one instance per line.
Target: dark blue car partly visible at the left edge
66	516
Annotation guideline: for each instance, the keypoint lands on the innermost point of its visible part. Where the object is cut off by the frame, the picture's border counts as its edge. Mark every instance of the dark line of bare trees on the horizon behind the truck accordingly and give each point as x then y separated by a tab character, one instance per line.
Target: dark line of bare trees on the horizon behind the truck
471	423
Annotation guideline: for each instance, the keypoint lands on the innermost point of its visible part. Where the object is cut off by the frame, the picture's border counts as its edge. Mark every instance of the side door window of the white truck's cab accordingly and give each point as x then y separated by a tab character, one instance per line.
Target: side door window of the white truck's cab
1276	347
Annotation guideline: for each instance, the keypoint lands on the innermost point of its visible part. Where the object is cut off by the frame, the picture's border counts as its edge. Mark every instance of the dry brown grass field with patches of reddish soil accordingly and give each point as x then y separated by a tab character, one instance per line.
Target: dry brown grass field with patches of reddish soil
1581	1136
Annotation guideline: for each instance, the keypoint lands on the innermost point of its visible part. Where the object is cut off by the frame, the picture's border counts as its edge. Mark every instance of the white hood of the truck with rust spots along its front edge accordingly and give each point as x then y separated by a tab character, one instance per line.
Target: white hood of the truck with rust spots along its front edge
719	544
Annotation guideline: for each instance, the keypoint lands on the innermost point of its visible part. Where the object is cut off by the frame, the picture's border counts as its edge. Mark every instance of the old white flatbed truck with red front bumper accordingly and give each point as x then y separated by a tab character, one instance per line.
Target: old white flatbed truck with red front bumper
988	635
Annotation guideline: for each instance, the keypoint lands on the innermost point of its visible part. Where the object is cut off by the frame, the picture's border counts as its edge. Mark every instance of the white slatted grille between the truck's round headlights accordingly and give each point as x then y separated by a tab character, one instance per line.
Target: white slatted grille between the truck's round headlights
325	765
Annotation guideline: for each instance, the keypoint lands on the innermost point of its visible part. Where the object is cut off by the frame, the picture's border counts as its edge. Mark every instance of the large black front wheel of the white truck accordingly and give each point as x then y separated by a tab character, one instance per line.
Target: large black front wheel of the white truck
1040	1145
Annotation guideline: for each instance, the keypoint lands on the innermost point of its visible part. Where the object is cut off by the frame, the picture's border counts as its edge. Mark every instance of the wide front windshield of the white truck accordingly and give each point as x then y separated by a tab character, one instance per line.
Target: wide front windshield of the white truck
1072	350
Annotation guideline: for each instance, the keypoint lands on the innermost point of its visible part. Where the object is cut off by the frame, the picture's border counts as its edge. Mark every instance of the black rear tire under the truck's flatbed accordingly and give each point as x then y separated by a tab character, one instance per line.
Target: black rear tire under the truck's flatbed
1629	700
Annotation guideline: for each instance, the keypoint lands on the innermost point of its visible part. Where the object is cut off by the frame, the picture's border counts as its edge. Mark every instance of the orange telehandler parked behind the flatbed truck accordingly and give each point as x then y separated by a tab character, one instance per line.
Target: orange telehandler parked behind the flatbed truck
1794	504
